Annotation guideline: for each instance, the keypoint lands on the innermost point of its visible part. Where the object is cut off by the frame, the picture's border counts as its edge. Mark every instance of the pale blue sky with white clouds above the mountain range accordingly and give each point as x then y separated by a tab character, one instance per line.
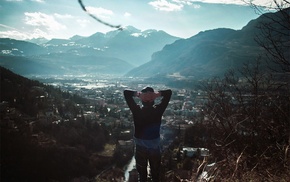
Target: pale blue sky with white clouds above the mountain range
28	19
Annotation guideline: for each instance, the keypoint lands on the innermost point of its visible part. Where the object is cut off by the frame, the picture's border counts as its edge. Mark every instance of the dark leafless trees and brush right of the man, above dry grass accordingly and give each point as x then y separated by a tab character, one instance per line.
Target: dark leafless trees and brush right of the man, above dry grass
247	115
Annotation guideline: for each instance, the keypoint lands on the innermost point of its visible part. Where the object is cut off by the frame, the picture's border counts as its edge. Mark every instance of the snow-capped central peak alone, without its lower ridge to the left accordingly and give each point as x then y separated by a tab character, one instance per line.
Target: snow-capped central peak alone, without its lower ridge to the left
130	44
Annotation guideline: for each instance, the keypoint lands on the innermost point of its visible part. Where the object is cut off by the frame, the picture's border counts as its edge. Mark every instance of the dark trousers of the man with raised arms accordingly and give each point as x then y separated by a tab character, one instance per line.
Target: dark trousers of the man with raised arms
143	156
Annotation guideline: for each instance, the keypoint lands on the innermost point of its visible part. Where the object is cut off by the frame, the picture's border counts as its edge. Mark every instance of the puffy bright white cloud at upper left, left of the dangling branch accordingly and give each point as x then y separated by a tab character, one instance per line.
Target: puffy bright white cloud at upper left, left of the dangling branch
42	20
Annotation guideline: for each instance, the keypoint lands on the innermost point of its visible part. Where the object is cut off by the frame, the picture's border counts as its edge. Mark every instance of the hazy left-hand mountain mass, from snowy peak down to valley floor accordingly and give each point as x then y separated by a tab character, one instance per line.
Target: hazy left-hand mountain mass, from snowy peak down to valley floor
115	52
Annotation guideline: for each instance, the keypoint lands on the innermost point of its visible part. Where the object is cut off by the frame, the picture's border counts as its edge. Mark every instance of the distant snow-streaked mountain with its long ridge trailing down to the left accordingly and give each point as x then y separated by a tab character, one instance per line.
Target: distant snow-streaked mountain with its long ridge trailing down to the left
131	44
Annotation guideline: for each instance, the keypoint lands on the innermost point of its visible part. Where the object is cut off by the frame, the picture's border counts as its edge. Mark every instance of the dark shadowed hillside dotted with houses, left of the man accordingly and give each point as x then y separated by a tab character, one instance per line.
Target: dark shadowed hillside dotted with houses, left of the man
36	143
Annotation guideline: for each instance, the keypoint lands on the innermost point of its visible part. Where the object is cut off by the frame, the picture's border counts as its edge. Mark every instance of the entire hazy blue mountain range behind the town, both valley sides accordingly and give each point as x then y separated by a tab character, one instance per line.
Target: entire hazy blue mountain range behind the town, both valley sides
136	53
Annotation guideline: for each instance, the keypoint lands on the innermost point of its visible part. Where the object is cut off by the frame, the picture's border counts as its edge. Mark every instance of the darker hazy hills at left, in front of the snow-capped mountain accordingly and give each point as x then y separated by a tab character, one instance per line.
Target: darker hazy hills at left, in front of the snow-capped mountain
23	62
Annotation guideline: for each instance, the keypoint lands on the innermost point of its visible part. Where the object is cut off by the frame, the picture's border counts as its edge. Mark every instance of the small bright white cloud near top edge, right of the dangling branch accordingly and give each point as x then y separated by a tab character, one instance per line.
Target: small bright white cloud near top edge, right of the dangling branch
164	5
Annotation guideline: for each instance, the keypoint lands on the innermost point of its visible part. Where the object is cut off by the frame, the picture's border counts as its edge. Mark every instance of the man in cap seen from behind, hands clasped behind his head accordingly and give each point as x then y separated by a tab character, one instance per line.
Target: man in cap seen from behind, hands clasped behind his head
147	121
